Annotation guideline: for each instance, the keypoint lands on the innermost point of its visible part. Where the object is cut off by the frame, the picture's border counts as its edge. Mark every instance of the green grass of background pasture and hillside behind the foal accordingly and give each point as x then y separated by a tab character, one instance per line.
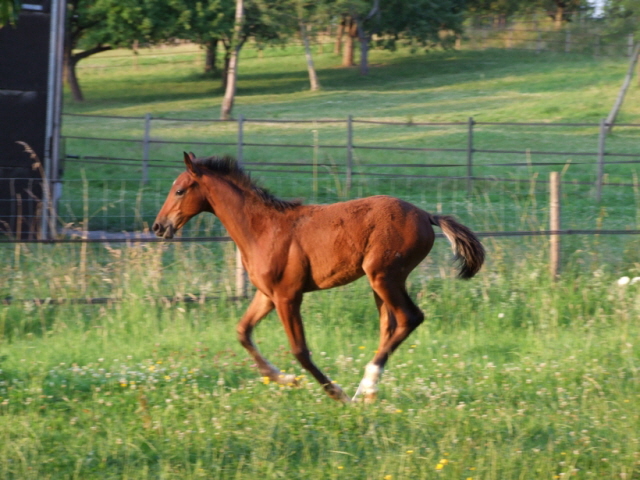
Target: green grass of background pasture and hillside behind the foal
451	86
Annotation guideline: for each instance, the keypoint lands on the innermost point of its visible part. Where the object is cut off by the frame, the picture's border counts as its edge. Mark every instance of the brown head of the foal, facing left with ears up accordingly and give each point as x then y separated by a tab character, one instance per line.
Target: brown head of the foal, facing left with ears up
185	200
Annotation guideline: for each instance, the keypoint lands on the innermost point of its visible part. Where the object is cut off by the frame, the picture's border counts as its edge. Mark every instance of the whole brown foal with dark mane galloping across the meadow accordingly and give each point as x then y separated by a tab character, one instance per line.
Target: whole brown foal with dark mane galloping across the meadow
289	249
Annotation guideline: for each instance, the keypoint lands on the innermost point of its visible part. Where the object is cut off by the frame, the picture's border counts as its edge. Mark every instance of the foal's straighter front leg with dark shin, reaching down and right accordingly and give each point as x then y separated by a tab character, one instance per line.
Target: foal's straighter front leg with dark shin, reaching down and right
289	312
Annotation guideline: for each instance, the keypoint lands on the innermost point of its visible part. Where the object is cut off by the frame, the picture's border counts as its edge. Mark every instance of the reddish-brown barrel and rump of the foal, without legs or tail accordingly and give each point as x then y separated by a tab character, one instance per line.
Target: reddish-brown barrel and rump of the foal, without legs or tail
343	241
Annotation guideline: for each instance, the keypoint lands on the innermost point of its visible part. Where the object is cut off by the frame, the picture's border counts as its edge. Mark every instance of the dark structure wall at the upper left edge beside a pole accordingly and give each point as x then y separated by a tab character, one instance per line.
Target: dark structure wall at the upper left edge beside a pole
24	50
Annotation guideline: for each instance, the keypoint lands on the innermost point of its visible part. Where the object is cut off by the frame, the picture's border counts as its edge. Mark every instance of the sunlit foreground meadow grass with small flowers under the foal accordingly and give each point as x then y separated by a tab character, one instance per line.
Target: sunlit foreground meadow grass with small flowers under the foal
510	377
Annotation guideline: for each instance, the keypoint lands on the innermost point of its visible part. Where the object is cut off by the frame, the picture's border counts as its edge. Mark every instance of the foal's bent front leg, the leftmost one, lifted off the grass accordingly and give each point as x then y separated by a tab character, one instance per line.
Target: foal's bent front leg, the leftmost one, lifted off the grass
260	306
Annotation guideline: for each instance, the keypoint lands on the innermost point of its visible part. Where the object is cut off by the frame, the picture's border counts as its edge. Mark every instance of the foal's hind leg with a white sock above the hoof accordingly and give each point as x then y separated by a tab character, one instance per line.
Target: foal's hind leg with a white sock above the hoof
407	317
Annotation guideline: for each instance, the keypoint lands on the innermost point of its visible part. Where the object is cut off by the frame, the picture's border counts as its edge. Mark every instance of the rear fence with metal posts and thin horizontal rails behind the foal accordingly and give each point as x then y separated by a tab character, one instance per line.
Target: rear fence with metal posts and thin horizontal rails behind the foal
469	155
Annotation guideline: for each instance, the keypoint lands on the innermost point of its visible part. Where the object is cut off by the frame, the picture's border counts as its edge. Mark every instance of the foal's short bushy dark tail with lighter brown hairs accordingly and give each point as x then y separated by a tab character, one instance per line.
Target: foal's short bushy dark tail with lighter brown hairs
467	249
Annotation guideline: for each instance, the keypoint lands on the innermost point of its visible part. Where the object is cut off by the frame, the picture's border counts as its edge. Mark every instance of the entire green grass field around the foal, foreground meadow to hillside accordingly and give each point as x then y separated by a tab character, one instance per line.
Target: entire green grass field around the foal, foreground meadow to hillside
512	375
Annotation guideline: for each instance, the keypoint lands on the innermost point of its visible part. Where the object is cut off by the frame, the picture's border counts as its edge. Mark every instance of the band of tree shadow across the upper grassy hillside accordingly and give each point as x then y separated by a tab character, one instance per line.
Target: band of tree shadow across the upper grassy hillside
389	73
